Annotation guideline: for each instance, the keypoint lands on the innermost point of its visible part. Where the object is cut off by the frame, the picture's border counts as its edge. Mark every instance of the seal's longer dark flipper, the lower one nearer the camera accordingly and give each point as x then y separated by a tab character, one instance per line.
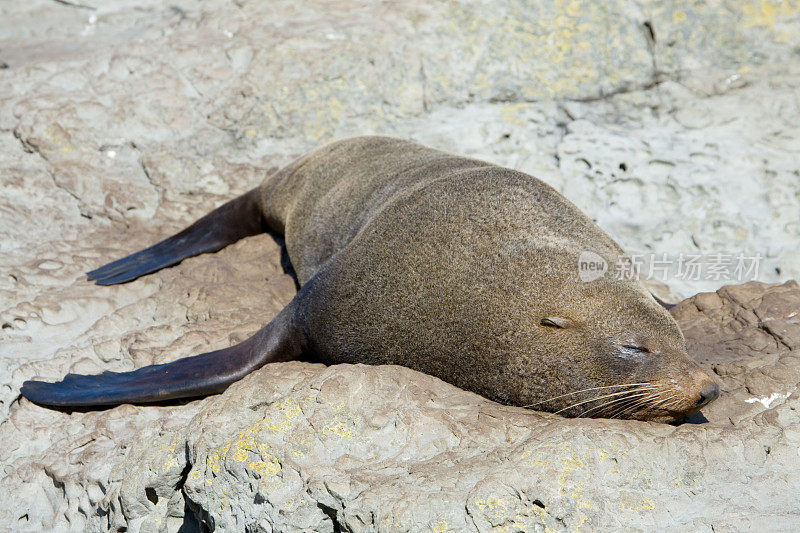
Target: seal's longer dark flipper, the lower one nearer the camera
200	375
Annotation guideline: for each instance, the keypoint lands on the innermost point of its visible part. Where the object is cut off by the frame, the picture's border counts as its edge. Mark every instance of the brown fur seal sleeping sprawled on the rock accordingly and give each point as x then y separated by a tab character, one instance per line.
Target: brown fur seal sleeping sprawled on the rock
448	265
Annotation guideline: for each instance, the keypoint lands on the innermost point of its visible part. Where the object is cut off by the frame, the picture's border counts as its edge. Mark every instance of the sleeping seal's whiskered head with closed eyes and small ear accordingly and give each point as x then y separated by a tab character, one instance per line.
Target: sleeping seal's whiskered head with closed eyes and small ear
623	356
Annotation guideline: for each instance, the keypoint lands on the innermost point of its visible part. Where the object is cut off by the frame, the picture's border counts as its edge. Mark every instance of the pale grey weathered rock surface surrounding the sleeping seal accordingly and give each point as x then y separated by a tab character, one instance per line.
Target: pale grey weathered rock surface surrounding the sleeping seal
674	124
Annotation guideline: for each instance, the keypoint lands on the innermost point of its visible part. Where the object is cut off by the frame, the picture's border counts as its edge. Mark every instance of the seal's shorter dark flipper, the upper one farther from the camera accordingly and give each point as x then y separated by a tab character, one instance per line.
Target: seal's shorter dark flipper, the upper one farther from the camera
230	222
